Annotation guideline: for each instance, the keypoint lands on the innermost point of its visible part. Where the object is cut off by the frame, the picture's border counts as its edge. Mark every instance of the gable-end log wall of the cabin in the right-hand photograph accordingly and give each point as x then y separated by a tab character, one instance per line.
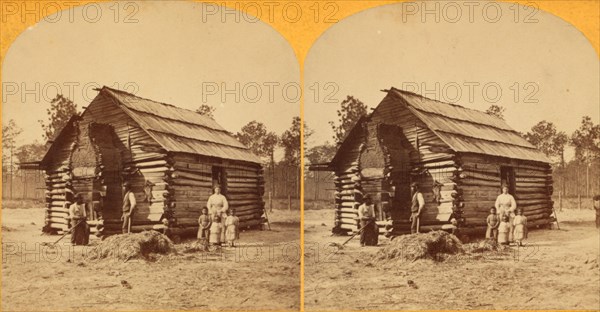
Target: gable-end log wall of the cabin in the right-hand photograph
411	153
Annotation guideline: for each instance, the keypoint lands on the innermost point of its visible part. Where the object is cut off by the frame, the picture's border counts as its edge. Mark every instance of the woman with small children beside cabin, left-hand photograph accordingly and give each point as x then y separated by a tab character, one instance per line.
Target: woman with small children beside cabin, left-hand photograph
218	224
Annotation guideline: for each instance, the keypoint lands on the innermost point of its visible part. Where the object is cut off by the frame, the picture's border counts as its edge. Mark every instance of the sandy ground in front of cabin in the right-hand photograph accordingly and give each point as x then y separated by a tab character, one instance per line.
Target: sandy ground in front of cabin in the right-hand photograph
558	269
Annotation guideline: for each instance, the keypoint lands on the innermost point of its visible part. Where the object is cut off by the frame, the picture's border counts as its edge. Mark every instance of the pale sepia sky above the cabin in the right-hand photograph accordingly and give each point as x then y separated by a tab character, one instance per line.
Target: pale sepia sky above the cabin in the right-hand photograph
551	64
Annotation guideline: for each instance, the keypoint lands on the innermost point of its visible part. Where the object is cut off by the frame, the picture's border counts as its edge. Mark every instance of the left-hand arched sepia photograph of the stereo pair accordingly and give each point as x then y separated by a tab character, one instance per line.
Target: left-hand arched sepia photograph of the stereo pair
151	161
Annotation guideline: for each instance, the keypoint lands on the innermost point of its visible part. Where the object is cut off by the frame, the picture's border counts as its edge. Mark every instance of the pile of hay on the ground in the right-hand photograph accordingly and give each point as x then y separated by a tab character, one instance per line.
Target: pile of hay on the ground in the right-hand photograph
433	245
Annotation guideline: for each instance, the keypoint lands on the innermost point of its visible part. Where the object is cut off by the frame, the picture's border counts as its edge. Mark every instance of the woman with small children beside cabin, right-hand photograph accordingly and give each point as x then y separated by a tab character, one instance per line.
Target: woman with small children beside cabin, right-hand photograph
506	223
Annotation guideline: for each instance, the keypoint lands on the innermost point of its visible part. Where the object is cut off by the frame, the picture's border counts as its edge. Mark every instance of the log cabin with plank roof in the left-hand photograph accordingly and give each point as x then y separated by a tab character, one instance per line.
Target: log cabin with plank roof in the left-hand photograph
172	158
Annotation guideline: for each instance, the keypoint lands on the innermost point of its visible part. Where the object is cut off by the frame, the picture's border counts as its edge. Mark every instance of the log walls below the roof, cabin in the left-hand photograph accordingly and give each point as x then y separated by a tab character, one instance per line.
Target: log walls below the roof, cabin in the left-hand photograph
171	186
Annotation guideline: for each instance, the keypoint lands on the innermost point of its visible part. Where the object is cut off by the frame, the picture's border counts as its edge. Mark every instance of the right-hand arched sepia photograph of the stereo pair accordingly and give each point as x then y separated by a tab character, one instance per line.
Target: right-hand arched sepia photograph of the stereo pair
455	163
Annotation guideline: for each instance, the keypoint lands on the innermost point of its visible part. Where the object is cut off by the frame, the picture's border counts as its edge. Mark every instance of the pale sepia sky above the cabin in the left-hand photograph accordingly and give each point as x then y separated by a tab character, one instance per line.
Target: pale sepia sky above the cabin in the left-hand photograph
171	52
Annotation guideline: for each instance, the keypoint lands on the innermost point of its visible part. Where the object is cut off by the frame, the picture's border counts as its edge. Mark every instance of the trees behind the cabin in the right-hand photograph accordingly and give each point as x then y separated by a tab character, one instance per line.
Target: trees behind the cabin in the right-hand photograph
579	175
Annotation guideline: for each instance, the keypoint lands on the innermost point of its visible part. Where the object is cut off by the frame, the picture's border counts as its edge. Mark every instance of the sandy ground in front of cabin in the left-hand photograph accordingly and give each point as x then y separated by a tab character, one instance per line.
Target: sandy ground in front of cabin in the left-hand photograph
262	273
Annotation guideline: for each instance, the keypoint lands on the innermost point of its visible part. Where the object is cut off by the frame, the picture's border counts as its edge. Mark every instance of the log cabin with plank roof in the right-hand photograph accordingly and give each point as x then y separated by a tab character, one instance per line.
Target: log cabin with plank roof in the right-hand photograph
459	157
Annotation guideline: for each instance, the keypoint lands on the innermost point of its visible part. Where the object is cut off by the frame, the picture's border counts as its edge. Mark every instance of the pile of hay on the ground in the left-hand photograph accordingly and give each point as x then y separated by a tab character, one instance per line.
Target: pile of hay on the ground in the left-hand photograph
133	246
